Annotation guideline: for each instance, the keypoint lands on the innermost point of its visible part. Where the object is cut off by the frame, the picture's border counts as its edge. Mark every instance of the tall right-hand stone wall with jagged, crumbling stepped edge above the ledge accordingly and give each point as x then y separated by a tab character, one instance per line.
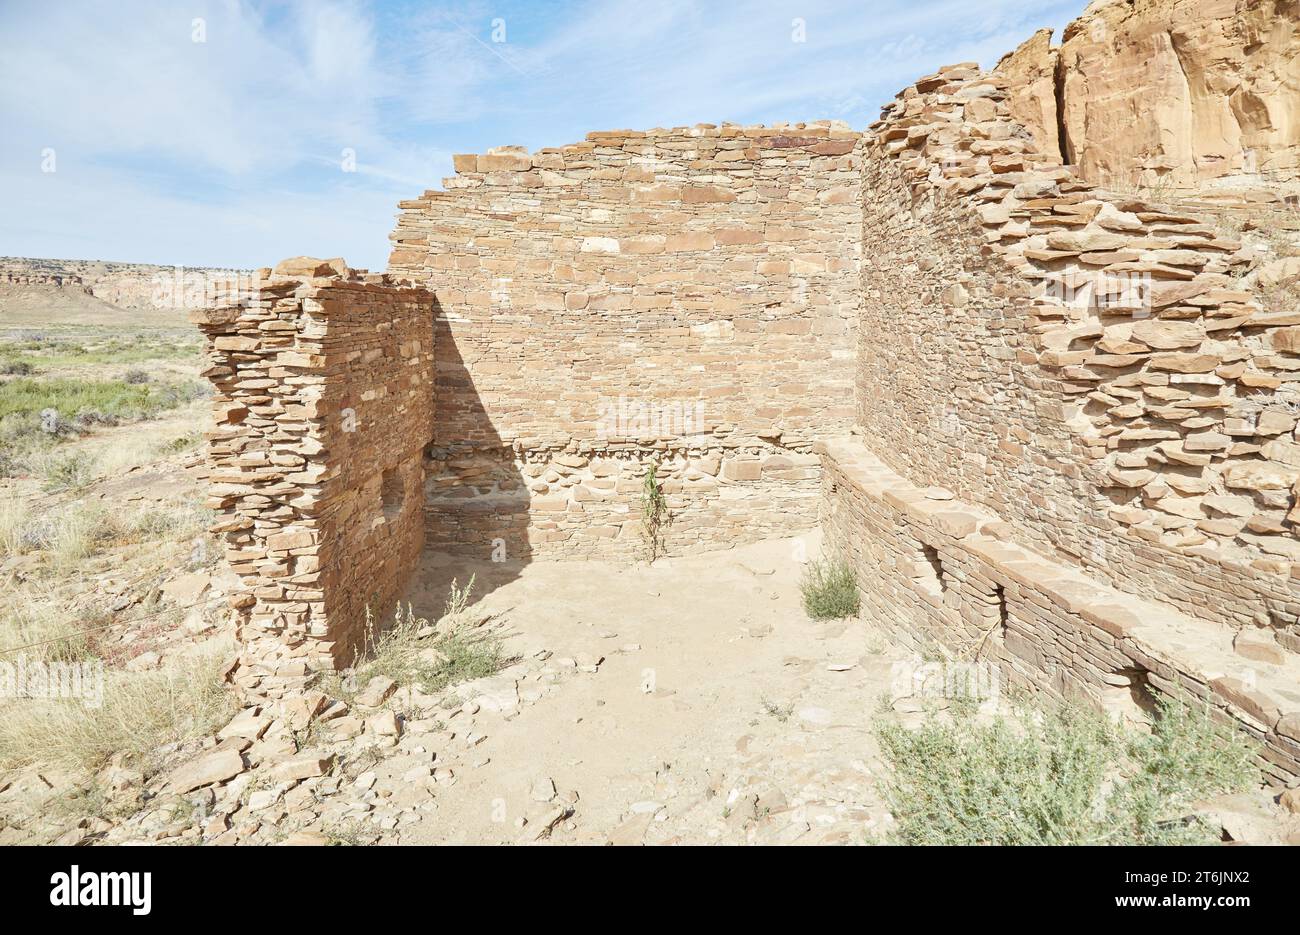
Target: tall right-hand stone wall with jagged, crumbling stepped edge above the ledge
1081	366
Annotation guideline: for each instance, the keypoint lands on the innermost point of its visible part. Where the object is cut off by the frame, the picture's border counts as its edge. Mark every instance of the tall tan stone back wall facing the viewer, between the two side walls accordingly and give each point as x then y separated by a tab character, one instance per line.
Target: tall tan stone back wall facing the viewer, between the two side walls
683	298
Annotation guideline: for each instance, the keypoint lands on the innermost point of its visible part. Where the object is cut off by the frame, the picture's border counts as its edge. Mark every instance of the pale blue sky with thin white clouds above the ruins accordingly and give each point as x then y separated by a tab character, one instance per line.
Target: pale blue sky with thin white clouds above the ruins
218	133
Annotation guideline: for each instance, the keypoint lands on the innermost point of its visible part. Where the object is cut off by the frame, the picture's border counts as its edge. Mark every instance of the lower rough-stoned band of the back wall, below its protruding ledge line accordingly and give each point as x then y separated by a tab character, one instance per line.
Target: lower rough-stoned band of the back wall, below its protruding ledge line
586	501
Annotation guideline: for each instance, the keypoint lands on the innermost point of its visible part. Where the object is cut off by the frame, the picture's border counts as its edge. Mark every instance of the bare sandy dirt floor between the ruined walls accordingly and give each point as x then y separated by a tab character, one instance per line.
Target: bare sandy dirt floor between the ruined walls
720	713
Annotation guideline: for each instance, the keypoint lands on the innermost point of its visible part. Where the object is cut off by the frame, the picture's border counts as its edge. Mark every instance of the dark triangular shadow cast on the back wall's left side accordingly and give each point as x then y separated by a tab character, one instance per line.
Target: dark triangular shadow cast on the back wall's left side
476	501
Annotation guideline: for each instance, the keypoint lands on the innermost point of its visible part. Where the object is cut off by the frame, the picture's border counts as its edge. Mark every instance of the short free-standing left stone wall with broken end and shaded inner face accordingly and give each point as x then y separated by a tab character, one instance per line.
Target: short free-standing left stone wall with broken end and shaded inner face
324	406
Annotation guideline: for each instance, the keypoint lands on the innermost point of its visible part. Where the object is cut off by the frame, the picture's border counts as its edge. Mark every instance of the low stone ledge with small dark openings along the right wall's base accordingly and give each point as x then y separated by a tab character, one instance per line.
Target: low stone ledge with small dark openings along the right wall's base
943	574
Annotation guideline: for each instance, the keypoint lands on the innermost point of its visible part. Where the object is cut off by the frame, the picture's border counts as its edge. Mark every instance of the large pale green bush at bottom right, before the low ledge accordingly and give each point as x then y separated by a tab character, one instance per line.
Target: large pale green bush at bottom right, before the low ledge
1060	777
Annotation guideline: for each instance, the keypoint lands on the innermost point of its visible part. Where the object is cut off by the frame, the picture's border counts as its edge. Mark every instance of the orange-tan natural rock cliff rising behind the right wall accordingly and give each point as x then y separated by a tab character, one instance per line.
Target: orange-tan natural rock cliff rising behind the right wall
1180	92
